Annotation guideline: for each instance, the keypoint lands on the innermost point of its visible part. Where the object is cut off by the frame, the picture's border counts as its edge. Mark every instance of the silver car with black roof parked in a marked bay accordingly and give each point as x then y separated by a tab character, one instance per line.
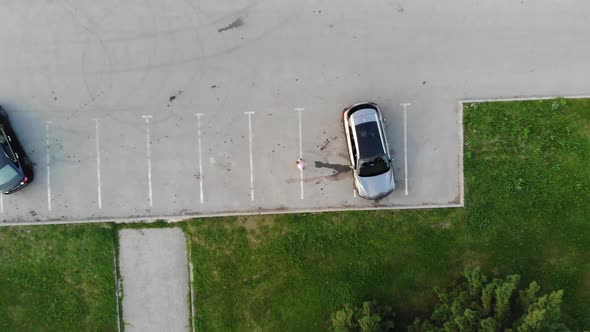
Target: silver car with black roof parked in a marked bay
368	150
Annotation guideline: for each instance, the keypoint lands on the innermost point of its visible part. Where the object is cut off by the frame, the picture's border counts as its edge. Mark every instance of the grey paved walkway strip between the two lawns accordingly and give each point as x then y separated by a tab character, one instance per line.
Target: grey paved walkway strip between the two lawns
153	265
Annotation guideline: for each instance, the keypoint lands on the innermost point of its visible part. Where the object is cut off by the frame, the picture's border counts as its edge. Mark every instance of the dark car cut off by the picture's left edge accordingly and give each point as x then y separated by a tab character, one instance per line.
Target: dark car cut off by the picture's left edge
16	169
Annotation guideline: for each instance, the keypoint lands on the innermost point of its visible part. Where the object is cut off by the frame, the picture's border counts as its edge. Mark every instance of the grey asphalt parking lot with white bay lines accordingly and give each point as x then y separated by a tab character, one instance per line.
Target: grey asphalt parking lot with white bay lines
171	108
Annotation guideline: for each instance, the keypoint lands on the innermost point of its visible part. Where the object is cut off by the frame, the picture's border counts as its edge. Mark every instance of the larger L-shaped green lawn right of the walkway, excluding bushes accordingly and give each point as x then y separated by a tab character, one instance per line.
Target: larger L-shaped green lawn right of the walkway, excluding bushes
527	205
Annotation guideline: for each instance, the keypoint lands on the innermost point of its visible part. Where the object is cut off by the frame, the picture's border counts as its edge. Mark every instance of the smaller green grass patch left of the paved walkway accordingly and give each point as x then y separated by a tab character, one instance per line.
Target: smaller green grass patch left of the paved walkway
57	278
